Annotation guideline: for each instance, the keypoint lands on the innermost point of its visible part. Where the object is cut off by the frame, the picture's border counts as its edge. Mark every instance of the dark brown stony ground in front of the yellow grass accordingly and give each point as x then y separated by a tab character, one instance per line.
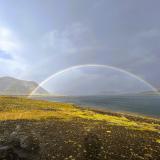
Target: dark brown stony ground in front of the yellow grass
77	139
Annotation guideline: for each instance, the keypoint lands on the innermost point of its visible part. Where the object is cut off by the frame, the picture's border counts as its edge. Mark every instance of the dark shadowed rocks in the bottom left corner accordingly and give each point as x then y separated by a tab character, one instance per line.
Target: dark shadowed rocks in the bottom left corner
20	147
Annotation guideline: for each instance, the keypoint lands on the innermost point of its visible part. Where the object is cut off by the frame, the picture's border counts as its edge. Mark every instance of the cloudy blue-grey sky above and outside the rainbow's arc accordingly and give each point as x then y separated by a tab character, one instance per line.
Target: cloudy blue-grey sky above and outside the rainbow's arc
40	37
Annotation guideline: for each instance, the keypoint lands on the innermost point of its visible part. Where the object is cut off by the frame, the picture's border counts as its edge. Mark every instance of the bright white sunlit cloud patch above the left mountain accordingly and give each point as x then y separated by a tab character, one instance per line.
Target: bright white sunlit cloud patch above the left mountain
10	54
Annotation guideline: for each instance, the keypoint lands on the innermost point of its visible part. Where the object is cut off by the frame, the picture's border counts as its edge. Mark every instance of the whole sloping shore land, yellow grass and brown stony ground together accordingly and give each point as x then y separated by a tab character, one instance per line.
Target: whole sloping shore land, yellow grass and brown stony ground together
50	130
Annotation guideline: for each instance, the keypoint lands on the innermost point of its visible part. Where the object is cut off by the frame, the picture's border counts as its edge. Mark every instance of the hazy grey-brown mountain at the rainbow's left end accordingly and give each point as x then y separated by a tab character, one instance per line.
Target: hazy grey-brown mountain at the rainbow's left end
13	86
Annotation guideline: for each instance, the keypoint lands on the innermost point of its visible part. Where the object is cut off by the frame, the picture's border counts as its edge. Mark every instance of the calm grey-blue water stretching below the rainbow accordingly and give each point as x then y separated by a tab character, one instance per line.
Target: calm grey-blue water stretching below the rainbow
142	104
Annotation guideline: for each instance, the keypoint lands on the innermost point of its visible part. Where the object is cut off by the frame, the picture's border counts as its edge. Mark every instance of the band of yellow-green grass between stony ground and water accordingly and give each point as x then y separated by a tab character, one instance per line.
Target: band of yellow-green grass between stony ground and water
23	108
